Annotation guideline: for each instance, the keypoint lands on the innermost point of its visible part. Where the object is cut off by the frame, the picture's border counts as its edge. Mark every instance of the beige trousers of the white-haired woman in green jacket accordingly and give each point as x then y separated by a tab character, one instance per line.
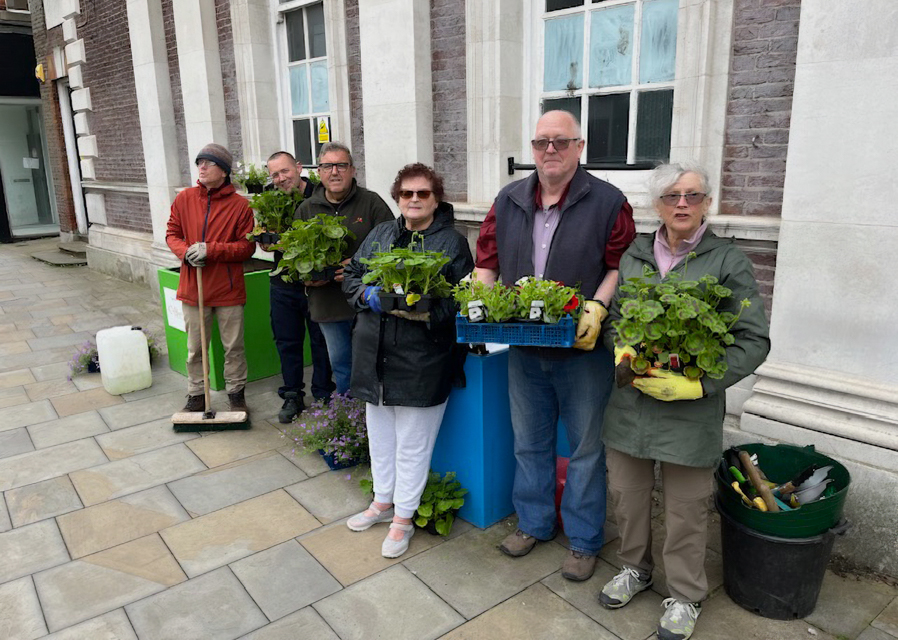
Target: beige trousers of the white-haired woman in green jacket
686	493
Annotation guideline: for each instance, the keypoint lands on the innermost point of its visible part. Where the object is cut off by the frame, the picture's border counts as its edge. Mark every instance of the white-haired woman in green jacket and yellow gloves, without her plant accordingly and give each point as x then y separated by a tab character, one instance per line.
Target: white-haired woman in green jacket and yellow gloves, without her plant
665	416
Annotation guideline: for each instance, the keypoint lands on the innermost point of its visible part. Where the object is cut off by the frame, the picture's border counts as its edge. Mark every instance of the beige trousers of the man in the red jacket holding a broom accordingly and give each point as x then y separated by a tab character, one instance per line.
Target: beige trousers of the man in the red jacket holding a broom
230	326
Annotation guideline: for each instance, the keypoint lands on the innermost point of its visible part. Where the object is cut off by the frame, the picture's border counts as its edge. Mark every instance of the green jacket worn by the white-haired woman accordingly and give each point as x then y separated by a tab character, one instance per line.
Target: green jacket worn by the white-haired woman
688	432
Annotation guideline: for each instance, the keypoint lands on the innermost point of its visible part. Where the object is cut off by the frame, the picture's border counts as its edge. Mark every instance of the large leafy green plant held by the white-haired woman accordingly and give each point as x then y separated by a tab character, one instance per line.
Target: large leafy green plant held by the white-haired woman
675	319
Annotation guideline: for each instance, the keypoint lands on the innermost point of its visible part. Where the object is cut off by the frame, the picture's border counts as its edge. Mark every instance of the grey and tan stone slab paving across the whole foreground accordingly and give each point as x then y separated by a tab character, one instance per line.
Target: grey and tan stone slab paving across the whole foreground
112	526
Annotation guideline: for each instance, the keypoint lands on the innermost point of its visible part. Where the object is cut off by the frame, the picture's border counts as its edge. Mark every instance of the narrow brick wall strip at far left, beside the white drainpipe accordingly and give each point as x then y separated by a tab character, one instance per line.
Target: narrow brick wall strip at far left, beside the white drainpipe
57	161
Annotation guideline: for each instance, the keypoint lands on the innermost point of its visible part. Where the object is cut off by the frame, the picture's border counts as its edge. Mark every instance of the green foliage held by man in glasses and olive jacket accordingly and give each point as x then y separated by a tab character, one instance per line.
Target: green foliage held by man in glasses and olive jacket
312	245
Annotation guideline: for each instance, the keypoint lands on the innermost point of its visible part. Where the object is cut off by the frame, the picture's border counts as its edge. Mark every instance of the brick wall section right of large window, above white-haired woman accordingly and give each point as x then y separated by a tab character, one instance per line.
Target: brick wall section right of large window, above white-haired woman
762	75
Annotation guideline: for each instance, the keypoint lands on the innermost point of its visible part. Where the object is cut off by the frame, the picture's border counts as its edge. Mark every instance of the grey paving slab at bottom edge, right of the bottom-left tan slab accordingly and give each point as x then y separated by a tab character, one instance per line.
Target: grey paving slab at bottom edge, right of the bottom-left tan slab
213	607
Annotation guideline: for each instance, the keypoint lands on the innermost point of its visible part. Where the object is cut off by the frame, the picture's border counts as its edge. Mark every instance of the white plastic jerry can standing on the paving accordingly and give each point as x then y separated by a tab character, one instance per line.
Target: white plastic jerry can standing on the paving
124	359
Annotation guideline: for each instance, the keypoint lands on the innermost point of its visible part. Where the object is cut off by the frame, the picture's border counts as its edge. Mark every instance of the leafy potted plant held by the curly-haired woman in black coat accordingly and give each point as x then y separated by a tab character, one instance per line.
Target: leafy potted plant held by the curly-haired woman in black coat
409	276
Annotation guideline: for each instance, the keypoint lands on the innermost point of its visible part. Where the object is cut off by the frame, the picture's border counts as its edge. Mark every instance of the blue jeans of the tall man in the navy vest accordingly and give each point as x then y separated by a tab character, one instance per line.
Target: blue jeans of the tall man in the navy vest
541	391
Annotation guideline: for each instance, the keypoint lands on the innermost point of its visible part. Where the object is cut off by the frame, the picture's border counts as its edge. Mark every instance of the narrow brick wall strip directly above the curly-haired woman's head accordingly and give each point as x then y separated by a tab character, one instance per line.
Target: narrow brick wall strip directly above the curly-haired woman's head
450	125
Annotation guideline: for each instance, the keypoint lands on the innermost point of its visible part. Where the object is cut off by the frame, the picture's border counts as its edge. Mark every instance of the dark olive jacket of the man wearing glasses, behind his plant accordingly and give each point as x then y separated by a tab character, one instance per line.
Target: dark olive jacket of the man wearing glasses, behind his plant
363	210
